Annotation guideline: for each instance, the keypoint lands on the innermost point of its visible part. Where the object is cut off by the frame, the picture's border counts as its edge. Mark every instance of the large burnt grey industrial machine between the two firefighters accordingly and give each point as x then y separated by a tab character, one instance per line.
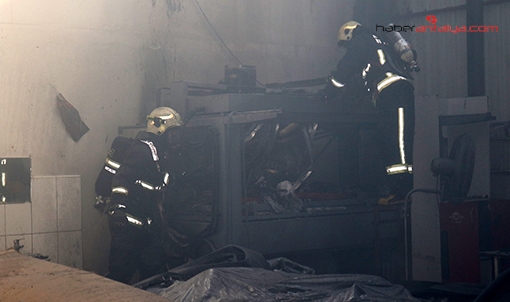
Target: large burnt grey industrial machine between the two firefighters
279	172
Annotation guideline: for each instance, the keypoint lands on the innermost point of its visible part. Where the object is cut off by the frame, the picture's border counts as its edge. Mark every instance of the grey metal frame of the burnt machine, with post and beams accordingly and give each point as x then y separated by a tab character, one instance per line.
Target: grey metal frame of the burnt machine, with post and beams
351	223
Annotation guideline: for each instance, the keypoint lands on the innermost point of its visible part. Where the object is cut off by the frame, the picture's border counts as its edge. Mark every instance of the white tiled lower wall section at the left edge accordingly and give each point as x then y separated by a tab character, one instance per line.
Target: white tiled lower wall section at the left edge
49	225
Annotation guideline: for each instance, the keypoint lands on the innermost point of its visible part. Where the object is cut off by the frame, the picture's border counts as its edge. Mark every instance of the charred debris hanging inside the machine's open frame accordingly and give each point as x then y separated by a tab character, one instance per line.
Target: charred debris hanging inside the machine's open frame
278	158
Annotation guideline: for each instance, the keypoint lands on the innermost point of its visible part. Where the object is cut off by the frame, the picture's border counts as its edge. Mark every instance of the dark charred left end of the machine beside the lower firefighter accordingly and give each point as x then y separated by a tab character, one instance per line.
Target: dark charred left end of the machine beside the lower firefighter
191	203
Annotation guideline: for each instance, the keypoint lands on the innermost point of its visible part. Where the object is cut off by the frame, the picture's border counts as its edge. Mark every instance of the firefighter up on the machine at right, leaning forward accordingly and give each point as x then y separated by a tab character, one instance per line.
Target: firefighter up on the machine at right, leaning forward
369	66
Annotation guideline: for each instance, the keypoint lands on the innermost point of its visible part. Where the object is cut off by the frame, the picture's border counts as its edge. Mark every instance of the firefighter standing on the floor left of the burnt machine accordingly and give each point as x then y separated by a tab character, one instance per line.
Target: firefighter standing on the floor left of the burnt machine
135	219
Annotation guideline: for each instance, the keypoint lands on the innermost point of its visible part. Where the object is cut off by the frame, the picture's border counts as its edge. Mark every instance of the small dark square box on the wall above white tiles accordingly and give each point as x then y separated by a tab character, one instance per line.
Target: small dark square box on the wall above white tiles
15	180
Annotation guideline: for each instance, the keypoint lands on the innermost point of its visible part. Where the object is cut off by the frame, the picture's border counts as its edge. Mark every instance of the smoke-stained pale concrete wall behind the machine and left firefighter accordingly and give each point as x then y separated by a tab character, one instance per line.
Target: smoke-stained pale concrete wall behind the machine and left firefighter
109	58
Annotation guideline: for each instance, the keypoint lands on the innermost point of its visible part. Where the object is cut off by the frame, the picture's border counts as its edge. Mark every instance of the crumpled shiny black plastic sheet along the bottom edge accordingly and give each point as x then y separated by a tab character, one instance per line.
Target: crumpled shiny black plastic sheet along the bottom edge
256	284
